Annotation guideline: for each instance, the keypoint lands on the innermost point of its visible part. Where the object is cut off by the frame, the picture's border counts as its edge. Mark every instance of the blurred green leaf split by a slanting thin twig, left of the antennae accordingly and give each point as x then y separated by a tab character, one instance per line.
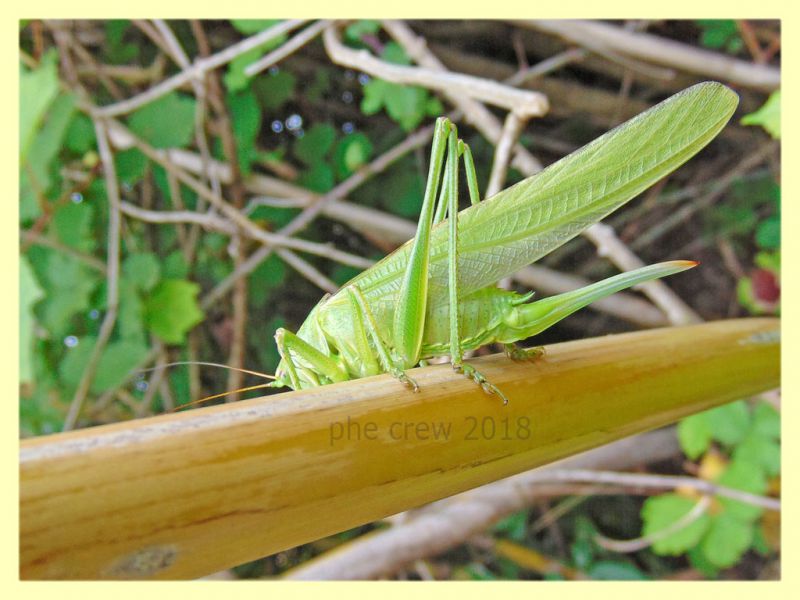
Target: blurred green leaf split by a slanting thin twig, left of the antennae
117	361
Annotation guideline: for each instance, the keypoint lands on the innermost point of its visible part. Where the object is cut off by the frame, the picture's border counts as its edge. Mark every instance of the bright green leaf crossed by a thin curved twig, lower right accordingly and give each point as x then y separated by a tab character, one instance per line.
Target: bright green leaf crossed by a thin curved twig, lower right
662	512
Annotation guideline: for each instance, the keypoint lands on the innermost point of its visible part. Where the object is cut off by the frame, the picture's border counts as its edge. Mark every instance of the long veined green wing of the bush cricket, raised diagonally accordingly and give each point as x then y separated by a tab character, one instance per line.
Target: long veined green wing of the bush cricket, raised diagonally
526	221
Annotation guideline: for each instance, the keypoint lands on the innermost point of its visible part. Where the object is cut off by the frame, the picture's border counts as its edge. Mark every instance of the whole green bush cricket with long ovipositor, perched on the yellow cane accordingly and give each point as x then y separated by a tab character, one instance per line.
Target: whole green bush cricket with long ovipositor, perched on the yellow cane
434	296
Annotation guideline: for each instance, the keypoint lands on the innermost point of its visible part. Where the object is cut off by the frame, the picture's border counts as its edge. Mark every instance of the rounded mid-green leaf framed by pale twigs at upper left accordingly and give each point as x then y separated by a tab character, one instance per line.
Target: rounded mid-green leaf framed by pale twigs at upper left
167	122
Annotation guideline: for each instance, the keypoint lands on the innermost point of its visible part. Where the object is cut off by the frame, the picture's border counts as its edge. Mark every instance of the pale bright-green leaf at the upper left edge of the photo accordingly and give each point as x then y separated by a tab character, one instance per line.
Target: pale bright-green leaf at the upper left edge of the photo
37	89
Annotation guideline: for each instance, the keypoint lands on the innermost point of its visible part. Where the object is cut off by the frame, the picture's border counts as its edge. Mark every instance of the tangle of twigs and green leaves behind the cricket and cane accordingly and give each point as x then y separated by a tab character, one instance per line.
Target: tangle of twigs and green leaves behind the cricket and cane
127	260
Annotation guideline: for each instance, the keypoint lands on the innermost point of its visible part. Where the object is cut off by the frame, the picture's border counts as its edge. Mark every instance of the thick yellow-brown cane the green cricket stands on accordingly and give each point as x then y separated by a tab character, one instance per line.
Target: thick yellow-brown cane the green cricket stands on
183	495
